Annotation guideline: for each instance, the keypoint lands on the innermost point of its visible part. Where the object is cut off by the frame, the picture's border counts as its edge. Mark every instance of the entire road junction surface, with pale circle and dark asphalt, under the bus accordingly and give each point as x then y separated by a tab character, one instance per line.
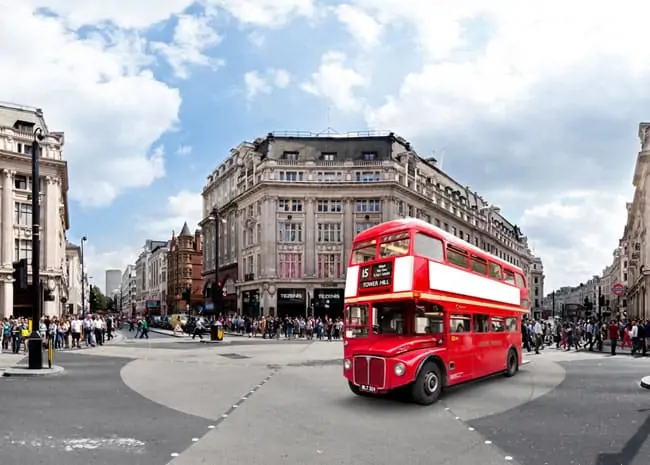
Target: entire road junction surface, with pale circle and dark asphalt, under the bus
278	403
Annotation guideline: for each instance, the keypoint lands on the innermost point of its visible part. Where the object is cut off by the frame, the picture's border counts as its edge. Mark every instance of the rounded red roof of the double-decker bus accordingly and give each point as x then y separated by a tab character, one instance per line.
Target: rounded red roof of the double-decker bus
395	226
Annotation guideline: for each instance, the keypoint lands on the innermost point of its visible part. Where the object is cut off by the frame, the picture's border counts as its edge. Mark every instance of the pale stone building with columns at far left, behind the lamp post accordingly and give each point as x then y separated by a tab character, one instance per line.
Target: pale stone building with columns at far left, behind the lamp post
17	126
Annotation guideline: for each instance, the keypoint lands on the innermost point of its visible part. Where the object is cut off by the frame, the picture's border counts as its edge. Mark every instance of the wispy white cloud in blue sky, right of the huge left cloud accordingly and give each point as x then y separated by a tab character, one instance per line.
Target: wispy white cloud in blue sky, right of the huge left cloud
193	35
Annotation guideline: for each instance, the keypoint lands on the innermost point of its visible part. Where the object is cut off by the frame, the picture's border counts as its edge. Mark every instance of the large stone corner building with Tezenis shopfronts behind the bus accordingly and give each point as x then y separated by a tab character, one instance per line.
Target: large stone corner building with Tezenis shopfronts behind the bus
291	204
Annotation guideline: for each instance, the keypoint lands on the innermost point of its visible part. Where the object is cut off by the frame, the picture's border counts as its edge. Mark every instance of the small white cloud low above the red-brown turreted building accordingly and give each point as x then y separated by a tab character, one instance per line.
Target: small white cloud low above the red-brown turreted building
185	206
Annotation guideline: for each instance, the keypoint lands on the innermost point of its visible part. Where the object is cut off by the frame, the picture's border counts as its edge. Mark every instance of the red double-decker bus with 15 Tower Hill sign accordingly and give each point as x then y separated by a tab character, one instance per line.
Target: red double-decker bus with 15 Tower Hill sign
426	310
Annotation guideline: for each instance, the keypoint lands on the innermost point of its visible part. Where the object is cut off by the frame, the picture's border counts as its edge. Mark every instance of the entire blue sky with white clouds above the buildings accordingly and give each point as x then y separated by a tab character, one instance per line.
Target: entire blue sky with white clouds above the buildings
535	108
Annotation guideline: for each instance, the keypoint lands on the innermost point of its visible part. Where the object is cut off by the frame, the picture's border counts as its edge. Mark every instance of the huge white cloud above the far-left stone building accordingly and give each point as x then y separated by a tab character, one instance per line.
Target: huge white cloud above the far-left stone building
94	89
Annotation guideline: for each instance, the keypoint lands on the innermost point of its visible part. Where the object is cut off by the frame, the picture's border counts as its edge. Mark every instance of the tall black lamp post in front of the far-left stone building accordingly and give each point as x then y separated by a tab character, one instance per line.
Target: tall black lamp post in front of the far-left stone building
35	342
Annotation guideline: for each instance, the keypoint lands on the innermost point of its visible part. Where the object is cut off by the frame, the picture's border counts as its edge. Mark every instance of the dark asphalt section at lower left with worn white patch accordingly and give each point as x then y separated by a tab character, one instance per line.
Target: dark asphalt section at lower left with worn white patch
88	416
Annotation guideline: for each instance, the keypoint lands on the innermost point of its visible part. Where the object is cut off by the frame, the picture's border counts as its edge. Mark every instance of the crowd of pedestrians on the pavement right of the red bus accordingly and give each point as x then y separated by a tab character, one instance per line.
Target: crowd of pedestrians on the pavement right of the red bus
587	334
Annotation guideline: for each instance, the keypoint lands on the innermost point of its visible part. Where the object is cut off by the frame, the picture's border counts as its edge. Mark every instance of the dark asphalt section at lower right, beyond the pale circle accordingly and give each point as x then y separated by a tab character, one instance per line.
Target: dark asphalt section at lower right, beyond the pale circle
598	415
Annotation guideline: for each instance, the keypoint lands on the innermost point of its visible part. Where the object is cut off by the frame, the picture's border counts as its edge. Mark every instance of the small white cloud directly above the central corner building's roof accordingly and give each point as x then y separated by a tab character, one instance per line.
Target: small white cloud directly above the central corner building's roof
336	82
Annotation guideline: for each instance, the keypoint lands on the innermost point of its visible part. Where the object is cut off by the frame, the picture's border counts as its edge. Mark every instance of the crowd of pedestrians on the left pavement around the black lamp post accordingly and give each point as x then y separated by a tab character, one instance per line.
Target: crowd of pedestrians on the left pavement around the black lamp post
67	332
